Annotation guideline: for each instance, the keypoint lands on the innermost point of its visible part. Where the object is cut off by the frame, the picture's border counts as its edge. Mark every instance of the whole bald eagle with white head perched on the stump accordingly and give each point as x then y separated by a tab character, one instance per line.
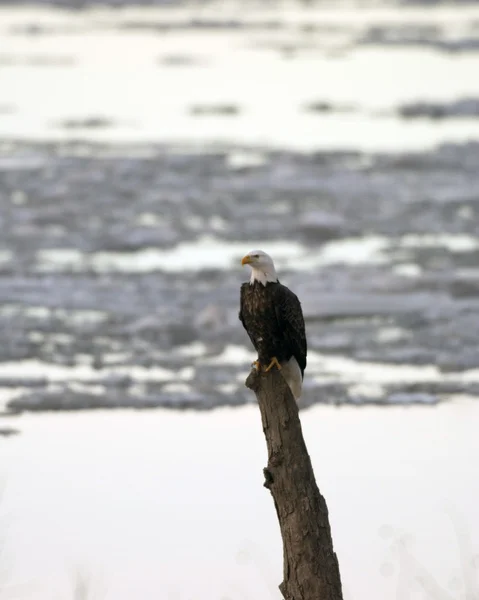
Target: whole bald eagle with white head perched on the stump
273	319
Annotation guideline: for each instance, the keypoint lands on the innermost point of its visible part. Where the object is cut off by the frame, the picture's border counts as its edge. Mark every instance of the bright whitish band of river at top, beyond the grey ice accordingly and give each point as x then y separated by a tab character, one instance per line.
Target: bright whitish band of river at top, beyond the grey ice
290	76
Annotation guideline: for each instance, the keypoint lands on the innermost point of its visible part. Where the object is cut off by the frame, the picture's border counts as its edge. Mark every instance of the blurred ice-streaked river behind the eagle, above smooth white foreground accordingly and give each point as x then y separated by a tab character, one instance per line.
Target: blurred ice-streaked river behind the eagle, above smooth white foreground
145	150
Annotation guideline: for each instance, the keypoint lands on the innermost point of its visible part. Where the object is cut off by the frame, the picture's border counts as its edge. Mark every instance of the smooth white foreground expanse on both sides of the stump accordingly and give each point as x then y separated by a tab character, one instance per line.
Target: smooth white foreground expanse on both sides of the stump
162	504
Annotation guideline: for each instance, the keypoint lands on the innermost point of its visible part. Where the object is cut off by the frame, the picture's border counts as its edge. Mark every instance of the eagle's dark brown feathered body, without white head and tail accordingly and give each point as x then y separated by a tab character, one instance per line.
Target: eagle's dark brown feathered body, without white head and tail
273	319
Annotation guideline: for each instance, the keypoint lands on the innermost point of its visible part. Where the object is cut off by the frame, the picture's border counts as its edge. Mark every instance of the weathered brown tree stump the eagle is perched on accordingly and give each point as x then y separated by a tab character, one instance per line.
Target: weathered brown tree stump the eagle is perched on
311	570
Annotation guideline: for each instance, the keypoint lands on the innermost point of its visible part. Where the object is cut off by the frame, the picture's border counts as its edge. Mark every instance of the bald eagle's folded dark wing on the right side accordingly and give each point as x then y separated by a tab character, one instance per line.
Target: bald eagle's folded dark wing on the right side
290	317
